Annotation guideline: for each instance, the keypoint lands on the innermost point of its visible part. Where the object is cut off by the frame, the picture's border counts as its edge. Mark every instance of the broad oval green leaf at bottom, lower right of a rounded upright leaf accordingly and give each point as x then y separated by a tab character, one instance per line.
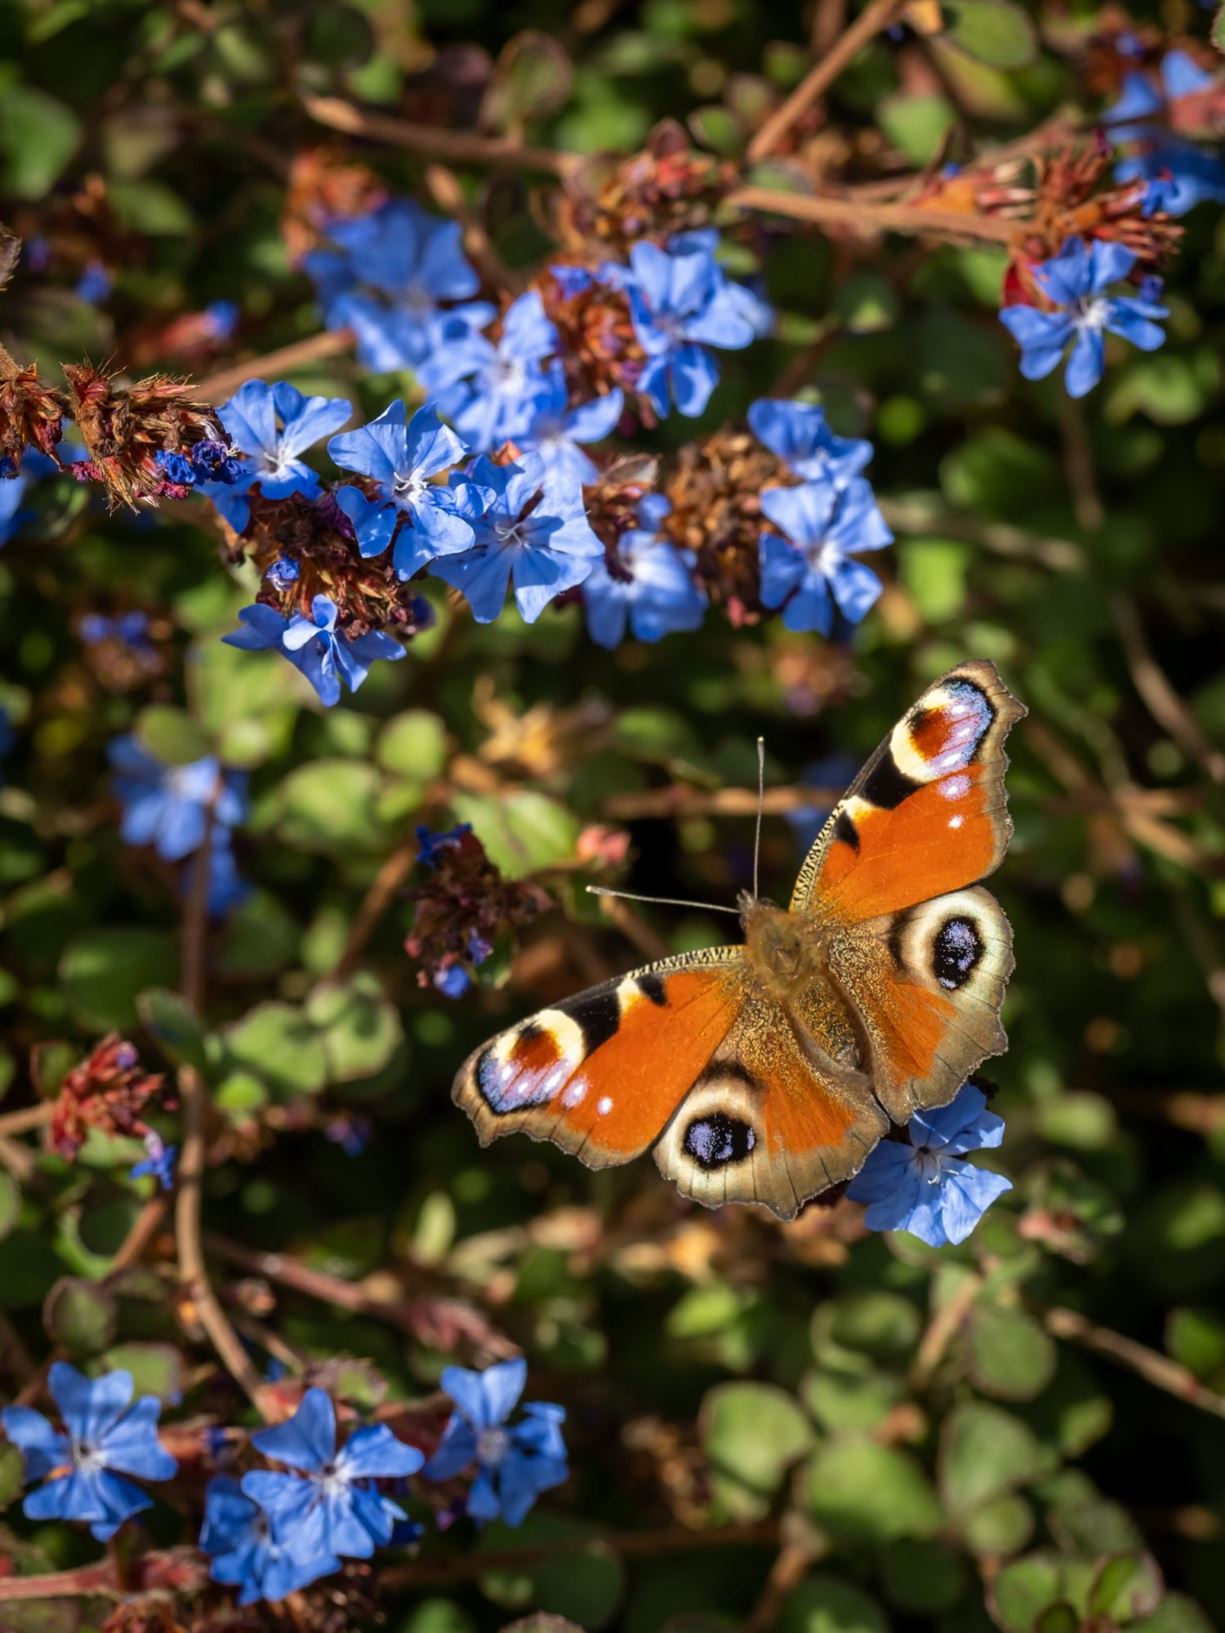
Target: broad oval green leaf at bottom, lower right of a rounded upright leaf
868	1493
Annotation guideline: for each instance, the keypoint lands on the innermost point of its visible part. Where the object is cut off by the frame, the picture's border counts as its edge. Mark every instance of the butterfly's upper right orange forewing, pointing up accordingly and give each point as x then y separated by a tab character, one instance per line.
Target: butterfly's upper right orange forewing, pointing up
927	814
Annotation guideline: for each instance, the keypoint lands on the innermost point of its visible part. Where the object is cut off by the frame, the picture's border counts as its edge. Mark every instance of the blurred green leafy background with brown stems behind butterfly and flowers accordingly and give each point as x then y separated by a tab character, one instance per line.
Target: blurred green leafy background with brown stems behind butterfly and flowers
796	1426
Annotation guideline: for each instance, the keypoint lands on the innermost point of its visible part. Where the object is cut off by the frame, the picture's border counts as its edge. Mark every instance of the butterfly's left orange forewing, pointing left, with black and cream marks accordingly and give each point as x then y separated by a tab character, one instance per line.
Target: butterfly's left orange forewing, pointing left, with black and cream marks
602	1074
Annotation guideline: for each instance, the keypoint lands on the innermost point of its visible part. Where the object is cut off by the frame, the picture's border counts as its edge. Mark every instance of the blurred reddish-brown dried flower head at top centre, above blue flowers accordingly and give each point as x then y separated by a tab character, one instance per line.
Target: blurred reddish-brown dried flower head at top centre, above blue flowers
667	189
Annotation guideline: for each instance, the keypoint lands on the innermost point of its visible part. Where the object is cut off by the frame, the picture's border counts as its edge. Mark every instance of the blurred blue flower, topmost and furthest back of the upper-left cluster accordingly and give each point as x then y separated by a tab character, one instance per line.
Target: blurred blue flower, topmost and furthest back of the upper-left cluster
388	278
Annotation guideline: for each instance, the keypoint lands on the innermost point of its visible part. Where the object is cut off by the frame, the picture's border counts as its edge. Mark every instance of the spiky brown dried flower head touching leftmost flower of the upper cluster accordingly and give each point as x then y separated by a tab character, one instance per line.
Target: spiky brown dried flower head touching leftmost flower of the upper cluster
125	430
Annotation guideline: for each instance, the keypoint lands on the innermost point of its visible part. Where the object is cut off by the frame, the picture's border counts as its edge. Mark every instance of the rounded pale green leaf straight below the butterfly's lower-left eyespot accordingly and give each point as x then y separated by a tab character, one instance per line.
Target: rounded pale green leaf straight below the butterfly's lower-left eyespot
752	1435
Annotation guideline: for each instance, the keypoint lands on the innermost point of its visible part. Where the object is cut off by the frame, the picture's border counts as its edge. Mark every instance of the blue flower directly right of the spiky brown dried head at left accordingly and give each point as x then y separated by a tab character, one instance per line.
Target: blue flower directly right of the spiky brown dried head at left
272	425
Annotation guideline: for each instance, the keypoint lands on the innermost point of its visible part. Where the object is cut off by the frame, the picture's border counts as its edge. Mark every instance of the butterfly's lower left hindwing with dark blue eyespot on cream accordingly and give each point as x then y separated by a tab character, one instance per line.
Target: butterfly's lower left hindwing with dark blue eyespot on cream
767	1123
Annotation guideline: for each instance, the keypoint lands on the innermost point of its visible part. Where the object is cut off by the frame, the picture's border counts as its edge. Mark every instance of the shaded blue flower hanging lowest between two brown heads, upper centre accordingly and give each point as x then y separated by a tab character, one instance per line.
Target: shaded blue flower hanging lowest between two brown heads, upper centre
649	589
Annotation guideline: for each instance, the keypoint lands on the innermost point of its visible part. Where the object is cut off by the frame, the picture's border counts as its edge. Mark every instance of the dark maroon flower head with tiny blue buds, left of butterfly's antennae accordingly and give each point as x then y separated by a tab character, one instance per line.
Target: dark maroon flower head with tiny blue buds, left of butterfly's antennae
463	910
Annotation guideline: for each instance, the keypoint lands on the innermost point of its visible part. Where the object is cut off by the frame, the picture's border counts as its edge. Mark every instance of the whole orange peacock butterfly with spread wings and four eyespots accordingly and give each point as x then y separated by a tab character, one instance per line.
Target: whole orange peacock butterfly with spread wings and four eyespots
768	1072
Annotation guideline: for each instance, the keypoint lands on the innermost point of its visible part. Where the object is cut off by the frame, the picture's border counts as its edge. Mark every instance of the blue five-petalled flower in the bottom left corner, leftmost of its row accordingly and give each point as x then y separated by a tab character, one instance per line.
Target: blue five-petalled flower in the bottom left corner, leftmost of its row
84	1469
